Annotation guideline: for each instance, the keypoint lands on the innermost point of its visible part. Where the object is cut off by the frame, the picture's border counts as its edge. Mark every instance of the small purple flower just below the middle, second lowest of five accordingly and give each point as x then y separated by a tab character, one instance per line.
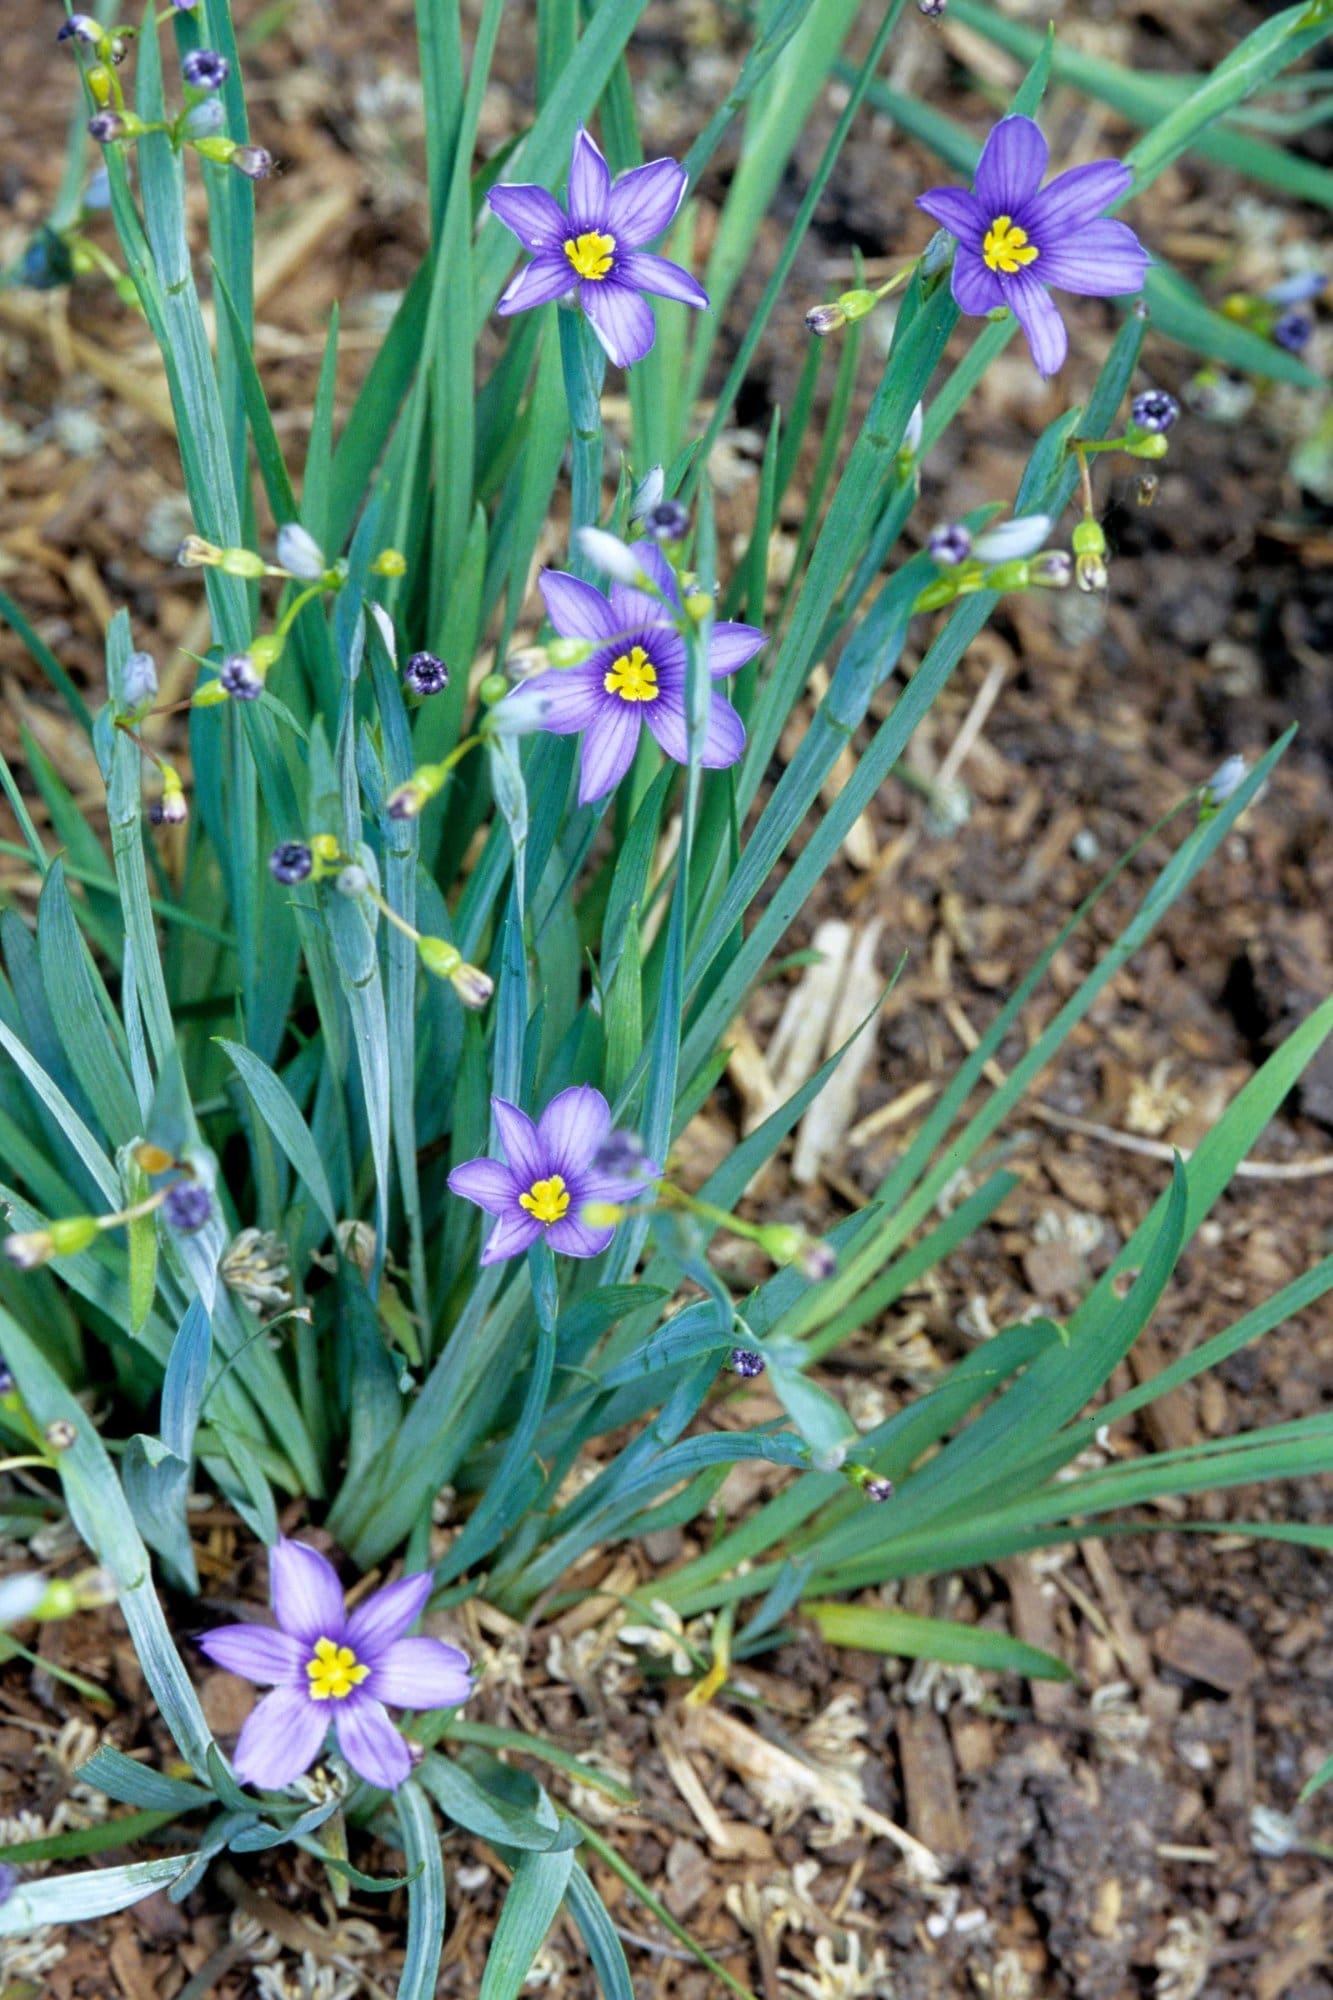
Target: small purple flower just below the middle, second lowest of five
551	1177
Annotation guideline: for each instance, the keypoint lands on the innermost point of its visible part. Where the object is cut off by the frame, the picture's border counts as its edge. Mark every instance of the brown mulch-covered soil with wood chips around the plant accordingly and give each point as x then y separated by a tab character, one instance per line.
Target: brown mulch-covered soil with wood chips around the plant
1098	1837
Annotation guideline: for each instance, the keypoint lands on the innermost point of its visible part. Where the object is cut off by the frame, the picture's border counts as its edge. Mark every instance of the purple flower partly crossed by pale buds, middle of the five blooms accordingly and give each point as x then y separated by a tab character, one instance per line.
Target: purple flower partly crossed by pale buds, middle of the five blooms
635	677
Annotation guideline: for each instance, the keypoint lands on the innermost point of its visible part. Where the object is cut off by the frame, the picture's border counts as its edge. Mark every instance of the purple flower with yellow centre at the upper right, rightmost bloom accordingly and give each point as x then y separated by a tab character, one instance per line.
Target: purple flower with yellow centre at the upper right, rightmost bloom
1018	237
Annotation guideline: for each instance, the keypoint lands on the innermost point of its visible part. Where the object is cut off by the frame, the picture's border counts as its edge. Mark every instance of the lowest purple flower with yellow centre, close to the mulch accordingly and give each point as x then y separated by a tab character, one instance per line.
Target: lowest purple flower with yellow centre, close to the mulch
327	1665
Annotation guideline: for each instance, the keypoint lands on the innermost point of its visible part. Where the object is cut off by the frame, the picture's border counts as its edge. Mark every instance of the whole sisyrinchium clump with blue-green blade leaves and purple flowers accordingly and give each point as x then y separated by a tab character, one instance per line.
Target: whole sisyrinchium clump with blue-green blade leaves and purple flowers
343	1091
